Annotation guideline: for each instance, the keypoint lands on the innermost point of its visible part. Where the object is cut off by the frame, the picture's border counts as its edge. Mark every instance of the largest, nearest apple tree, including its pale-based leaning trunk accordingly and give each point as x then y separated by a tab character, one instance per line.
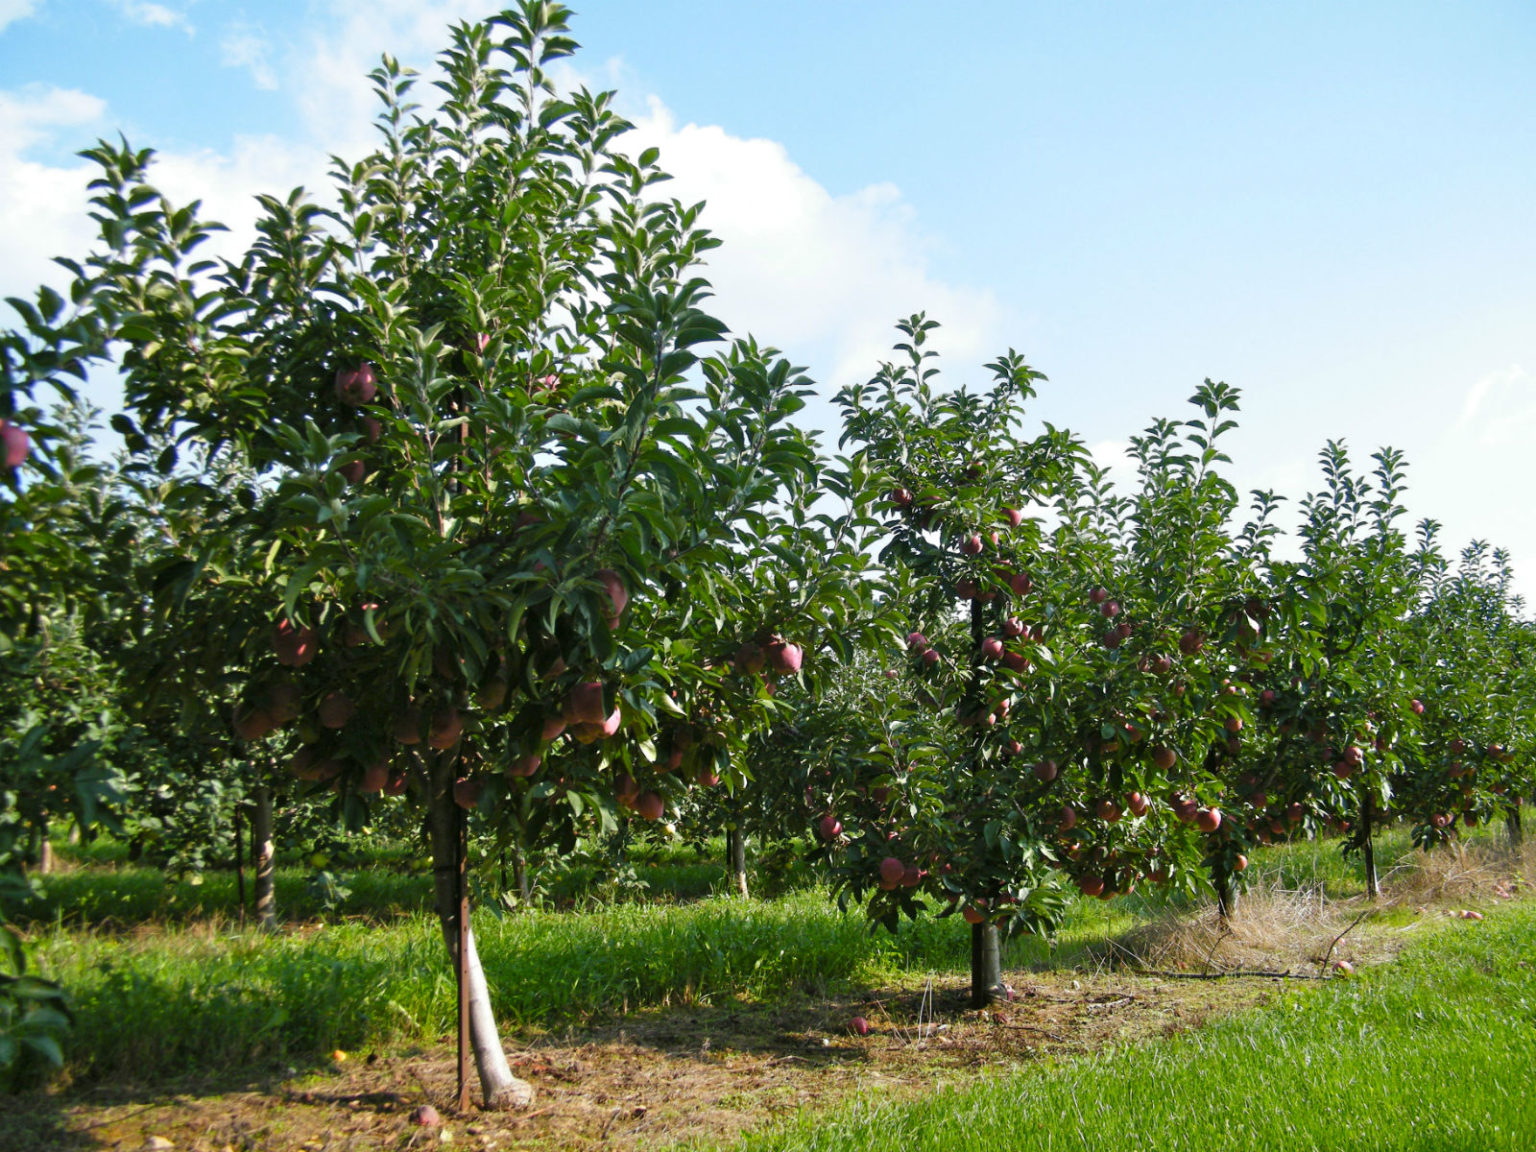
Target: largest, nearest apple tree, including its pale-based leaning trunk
505	518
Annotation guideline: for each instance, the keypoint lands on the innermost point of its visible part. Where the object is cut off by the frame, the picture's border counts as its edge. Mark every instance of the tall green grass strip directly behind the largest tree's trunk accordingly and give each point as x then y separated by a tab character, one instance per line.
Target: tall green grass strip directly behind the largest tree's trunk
176	999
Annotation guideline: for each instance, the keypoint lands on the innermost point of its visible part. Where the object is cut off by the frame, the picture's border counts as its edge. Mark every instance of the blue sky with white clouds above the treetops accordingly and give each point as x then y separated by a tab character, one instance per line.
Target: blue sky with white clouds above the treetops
1329	205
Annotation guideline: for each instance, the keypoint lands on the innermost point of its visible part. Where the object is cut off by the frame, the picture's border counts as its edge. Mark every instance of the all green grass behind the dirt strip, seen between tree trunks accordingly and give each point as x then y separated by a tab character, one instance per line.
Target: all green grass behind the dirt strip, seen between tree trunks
167	982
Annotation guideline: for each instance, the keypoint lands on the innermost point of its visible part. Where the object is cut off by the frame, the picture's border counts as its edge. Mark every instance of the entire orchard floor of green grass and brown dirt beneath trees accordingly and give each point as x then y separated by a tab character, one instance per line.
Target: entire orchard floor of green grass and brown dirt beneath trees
190	1022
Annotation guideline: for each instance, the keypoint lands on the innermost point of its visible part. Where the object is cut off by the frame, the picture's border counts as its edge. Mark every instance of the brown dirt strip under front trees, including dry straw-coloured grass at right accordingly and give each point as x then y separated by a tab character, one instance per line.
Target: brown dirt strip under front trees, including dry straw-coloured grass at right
710	1073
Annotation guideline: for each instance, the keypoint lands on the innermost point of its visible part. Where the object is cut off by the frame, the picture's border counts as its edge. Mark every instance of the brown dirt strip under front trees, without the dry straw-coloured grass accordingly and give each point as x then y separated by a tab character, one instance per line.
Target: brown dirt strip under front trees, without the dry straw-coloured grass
646	1082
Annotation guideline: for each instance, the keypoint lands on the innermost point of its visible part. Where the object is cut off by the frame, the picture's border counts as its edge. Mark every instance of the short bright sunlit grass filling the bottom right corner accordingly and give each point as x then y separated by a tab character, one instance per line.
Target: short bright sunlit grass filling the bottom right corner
1429	1054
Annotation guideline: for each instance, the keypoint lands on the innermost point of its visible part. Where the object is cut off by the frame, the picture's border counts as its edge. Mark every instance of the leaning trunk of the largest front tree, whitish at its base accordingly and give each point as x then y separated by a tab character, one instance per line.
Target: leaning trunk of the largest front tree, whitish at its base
500	1087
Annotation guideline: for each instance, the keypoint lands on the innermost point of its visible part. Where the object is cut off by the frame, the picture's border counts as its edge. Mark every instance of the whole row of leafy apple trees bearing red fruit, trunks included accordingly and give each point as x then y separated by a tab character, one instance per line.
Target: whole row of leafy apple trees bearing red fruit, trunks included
452	500
